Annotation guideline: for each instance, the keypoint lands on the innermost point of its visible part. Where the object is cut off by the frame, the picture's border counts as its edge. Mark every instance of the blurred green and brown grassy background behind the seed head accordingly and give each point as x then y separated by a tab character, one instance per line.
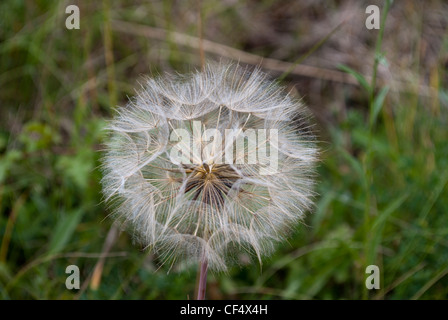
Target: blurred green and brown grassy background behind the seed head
379	99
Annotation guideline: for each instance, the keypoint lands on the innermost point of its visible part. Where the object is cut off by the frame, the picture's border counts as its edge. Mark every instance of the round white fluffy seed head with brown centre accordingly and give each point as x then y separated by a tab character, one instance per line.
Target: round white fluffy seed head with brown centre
208	209
